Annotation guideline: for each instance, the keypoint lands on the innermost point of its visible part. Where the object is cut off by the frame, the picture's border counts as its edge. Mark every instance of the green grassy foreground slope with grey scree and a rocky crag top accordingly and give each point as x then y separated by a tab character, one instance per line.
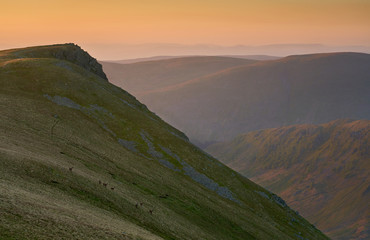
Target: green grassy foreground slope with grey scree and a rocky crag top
82	159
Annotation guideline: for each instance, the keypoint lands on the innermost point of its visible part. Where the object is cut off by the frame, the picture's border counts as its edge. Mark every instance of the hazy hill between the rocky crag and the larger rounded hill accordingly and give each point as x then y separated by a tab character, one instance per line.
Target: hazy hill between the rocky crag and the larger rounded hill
140	77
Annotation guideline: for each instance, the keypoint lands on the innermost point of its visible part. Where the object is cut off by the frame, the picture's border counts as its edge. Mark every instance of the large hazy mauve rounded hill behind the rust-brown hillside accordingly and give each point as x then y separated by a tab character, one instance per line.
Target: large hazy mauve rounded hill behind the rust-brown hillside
298	89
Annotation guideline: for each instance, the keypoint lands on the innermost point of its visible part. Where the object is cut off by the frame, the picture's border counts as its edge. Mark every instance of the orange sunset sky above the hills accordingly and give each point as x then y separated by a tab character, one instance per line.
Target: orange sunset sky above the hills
102	23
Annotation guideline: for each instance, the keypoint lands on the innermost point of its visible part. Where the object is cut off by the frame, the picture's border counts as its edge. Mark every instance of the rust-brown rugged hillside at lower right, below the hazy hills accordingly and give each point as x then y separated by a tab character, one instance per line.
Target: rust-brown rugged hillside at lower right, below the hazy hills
321	170
